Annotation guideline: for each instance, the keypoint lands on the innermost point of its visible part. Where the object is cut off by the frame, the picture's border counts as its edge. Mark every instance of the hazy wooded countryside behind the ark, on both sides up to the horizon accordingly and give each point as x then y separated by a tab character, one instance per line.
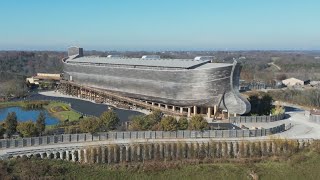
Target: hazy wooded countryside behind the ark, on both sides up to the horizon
266	66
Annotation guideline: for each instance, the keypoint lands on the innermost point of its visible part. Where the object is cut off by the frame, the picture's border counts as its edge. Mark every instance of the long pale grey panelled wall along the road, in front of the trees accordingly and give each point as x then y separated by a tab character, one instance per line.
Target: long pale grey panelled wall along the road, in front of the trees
73	138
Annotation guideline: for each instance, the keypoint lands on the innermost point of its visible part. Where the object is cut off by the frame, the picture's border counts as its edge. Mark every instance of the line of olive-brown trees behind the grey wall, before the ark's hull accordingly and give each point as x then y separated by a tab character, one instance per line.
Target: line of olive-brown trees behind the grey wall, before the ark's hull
154	121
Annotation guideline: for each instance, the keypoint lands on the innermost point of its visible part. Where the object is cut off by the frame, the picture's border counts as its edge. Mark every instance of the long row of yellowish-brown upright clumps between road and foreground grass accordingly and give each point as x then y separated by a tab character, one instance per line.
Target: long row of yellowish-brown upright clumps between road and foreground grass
175	151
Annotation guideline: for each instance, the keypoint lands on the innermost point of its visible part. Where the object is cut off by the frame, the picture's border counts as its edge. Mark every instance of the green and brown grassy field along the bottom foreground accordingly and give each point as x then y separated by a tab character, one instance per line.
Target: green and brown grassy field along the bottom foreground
304	165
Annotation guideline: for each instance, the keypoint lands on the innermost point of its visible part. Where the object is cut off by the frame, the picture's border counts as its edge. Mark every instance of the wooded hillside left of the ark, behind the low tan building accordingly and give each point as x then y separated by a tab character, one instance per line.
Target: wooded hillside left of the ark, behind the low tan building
15	66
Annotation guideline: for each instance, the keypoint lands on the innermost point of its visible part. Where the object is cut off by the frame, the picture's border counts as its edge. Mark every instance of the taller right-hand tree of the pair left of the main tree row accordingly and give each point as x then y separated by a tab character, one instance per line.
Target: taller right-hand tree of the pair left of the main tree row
109	120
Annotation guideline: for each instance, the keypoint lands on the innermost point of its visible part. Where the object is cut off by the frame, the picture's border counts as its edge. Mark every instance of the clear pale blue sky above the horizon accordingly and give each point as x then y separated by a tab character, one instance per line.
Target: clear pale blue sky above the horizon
160	24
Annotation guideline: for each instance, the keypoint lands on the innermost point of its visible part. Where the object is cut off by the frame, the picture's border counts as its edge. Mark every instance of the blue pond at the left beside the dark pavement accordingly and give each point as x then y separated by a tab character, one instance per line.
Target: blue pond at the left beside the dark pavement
26	115
